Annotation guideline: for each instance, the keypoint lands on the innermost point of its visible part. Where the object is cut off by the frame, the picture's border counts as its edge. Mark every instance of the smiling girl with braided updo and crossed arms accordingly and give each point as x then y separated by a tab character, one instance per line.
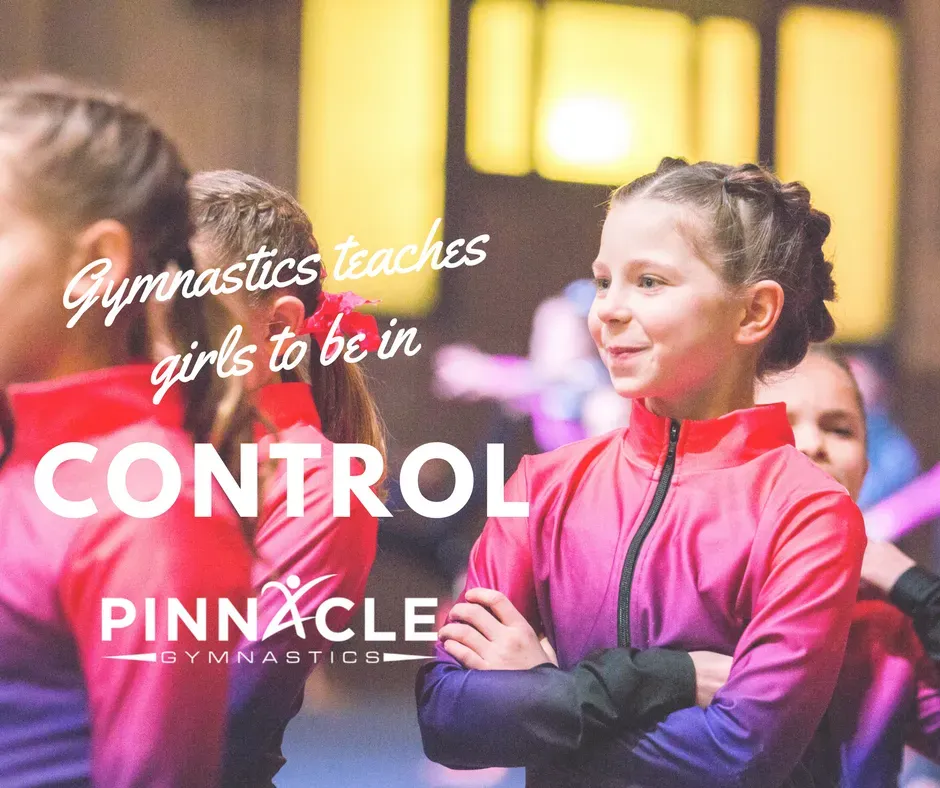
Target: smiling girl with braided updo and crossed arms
699	527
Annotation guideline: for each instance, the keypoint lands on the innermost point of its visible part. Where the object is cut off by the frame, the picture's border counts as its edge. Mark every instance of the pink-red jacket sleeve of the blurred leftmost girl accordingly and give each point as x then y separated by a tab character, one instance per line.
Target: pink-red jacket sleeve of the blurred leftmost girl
157	724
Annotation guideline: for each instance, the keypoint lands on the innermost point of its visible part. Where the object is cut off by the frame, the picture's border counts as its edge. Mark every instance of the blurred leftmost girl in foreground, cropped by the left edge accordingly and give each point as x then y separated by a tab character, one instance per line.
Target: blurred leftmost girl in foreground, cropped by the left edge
83	176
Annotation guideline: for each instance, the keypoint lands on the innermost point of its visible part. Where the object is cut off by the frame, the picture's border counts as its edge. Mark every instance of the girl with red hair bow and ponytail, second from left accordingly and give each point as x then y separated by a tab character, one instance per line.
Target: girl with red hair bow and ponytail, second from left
235	215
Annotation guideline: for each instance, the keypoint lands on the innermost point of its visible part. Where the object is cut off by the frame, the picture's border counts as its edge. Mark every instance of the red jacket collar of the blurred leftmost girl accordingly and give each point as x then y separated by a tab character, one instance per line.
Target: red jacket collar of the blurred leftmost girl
85	405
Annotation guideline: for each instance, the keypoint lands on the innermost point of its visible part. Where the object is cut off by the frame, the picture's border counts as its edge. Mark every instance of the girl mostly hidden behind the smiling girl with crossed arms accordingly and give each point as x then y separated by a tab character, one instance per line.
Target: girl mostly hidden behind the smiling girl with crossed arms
889	691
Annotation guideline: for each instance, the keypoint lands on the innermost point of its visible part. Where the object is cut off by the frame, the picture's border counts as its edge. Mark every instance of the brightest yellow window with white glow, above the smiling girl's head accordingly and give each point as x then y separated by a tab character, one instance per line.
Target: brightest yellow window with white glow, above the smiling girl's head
615	91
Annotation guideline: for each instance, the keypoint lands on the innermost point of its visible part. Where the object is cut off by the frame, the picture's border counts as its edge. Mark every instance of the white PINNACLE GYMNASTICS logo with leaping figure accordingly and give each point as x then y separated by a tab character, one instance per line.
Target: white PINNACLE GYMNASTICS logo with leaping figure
119	613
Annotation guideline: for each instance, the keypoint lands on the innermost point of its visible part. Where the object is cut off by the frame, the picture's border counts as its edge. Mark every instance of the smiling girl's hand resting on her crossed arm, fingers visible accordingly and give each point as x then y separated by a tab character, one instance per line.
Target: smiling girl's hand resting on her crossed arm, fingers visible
486	632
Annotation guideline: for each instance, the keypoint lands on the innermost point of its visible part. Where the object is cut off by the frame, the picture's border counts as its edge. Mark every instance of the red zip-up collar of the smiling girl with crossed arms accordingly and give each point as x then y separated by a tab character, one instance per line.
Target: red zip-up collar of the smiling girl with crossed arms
732	439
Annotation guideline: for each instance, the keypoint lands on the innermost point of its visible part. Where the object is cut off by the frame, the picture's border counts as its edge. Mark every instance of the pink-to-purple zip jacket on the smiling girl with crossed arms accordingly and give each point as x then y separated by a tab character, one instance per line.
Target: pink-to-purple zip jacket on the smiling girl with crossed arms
715	535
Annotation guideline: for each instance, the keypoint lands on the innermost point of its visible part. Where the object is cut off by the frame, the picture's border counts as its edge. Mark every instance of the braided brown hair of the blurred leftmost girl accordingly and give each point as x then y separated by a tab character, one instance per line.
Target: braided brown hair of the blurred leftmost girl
80	155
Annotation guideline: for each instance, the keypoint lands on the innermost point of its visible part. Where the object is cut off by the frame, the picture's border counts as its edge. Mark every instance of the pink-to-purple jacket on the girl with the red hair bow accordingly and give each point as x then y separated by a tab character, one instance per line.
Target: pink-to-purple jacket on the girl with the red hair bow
267	692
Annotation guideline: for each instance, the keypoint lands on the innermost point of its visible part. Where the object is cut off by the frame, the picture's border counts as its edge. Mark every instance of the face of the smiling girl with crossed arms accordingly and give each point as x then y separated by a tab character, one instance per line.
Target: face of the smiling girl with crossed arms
663	319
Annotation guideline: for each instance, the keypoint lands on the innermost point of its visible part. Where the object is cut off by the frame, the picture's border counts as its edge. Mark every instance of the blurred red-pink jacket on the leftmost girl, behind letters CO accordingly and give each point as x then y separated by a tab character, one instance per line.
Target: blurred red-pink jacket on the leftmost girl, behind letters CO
70	712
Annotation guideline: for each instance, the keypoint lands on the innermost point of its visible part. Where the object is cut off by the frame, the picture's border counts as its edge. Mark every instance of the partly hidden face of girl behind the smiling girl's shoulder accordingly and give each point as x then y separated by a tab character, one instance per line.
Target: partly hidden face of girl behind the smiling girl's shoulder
823	410
